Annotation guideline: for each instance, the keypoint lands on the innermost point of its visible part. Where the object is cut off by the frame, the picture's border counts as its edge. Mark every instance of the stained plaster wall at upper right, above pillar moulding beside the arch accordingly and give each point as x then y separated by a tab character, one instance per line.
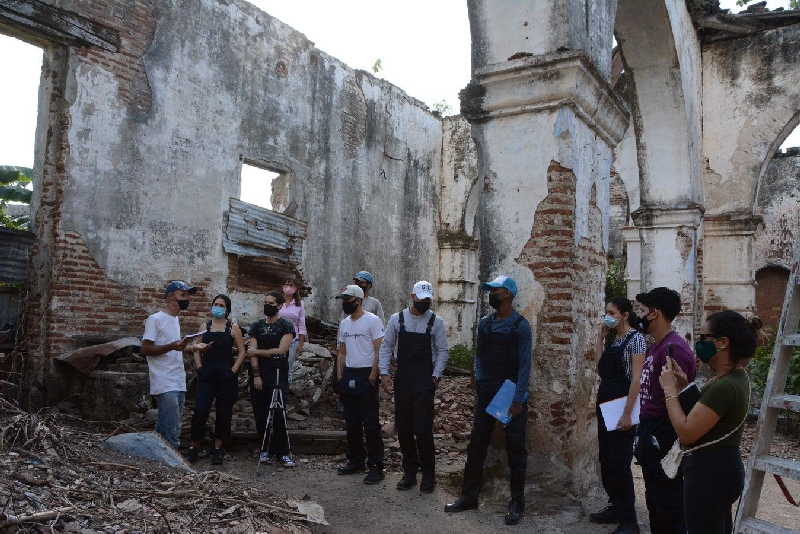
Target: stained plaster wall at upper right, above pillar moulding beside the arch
751	92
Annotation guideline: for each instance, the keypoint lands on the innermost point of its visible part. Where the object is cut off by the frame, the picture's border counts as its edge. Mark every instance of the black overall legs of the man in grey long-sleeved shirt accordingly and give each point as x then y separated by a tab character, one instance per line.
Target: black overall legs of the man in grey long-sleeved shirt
414	419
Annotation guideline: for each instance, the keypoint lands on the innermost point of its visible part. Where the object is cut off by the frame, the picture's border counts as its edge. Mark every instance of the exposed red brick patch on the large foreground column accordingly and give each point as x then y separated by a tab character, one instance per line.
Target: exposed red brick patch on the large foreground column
573	278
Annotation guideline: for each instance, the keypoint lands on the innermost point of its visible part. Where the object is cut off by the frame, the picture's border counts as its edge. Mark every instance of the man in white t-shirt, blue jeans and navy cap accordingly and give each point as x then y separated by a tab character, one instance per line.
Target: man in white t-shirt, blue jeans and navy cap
163	346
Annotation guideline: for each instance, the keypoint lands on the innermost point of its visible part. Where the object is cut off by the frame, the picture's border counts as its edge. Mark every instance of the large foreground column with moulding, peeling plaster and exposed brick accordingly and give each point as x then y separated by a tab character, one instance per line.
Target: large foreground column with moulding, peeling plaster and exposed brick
545	122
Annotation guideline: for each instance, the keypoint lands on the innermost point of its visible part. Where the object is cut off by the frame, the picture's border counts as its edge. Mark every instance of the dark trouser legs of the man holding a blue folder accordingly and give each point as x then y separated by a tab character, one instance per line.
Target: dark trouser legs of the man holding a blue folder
482	427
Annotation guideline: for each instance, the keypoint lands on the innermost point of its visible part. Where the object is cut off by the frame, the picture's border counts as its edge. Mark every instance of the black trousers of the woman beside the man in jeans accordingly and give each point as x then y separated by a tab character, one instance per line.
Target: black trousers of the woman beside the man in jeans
214	383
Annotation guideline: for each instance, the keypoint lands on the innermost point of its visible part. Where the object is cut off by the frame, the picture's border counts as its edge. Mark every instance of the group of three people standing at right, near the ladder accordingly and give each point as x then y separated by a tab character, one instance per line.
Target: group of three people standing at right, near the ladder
698	500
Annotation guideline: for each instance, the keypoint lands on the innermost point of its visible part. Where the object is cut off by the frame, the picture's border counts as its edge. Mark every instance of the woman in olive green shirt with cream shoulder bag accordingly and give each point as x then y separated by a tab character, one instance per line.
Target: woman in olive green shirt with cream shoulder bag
713	474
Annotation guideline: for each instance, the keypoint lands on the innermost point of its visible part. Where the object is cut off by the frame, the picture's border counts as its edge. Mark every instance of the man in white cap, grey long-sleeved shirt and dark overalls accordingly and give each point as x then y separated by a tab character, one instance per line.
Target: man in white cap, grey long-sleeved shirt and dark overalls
416	336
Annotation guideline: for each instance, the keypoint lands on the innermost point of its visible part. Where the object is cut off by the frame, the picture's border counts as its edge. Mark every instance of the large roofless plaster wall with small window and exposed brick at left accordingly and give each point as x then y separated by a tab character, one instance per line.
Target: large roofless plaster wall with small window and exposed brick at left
140	150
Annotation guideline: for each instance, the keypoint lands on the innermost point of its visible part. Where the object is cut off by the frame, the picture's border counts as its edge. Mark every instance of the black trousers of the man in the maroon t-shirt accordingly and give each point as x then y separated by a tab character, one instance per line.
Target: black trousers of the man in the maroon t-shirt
664	495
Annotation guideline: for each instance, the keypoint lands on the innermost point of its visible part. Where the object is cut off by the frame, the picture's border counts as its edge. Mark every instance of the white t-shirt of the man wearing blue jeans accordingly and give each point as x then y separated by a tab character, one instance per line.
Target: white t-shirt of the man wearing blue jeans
166	370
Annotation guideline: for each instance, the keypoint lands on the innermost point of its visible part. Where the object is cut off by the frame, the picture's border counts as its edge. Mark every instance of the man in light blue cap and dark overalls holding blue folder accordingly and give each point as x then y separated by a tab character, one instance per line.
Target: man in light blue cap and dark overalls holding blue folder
505	351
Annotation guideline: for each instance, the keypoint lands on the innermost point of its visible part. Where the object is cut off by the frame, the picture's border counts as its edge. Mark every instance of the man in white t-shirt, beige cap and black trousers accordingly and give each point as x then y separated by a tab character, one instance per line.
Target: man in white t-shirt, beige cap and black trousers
360	337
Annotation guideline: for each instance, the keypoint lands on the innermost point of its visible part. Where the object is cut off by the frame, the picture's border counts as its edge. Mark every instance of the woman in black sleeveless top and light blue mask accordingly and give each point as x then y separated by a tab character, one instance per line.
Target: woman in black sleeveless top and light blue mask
216	377
